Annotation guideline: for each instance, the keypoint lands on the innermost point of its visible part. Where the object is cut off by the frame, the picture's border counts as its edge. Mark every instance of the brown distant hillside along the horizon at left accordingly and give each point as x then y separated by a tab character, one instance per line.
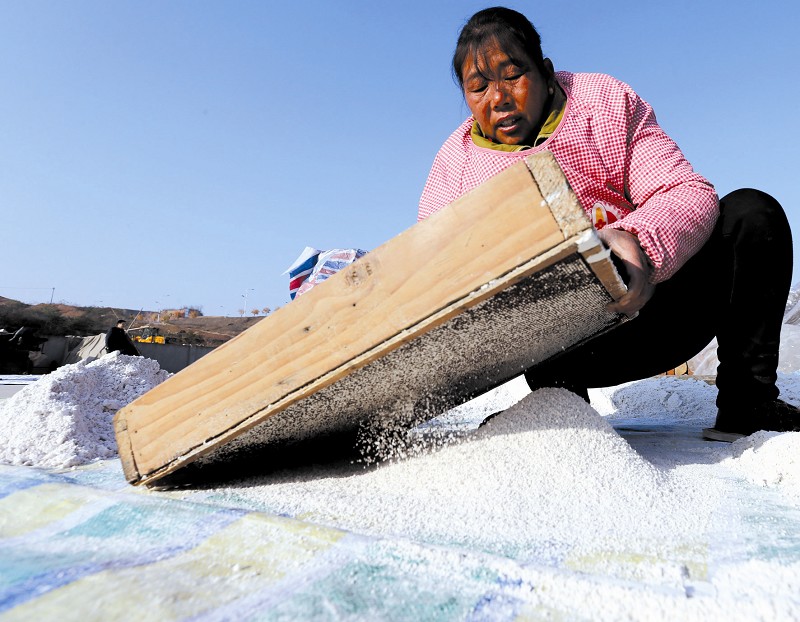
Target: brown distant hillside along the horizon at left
61	319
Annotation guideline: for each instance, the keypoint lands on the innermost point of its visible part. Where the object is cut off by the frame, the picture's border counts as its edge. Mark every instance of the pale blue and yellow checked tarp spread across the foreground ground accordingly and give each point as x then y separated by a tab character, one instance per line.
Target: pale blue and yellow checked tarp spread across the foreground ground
82	544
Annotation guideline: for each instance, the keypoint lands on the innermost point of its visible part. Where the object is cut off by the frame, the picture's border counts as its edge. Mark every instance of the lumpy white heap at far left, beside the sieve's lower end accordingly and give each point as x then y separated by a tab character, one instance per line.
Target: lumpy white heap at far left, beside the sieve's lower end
65	418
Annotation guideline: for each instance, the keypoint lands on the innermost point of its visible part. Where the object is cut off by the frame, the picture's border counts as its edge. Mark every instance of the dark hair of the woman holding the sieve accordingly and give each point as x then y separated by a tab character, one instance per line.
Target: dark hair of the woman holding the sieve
510	30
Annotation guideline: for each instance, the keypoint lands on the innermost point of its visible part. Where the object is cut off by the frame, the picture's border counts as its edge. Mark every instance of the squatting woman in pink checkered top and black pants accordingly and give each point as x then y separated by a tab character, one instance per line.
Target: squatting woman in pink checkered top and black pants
696	267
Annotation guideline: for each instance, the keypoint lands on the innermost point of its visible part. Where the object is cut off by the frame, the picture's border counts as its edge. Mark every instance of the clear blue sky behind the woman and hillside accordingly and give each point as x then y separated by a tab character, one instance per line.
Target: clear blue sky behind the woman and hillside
161	154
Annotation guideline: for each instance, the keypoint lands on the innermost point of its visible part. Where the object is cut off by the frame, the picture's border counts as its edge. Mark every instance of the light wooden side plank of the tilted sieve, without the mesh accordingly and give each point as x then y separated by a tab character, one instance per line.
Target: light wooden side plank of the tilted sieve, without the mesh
395	293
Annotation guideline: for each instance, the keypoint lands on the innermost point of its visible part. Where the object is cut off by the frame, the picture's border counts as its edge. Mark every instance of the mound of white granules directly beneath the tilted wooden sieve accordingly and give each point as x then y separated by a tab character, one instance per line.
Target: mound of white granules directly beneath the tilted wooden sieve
546	477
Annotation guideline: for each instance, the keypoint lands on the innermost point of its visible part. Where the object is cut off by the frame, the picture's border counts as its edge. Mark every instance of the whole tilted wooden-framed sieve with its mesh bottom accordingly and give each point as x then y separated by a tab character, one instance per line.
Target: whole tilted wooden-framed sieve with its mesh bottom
505	277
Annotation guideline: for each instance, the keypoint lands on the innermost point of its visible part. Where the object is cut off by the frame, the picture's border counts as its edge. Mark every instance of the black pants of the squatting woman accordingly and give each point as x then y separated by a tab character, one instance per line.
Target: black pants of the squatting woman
734	288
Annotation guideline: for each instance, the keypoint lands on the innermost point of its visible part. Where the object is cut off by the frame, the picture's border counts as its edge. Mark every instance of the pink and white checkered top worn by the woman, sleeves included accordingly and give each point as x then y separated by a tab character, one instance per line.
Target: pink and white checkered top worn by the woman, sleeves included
625	170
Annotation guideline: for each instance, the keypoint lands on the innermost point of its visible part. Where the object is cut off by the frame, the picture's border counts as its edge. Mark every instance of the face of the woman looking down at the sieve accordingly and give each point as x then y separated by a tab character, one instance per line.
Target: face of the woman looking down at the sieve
506	100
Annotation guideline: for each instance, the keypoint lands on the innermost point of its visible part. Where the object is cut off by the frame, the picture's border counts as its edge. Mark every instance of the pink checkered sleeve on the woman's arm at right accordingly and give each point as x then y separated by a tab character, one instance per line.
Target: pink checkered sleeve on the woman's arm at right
675	208
